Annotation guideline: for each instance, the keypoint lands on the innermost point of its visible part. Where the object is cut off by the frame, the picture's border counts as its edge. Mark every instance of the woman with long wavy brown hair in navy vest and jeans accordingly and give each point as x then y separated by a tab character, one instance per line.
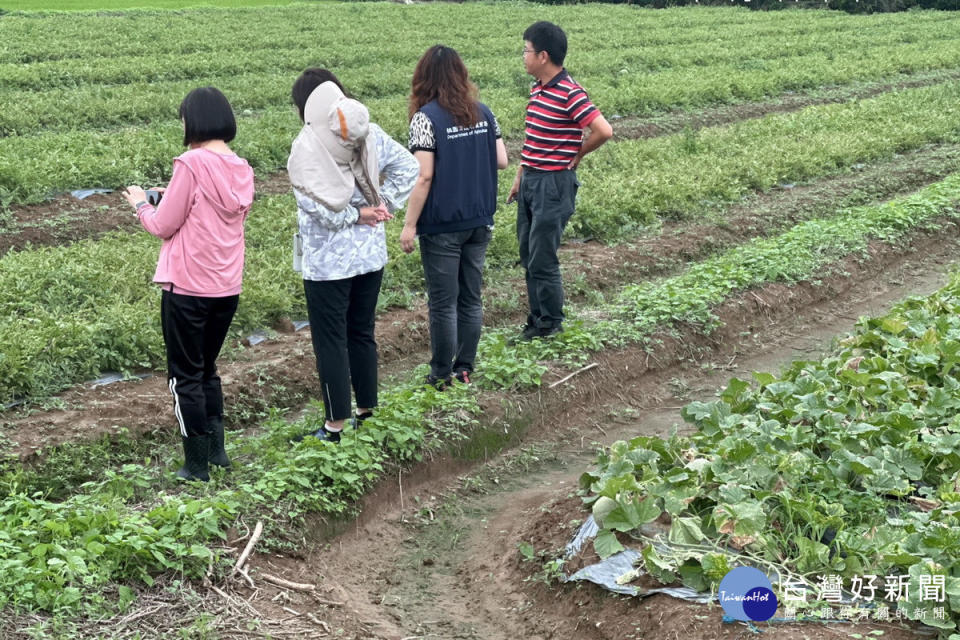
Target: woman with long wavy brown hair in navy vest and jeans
456	140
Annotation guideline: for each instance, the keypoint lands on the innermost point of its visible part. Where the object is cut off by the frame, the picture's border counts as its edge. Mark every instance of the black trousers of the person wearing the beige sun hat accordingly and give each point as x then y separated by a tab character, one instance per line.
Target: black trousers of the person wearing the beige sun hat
342	318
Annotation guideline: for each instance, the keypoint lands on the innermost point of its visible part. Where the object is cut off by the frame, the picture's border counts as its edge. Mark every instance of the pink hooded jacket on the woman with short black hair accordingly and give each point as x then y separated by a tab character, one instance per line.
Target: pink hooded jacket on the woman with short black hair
200	220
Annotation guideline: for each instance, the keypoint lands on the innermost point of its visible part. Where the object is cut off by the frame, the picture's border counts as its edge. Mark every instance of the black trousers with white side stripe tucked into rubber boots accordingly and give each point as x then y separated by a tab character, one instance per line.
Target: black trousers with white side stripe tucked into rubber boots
194	329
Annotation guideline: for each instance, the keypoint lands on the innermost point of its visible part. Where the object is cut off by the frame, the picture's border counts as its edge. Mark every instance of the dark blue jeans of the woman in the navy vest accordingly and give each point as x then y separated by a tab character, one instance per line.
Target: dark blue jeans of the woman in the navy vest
453	269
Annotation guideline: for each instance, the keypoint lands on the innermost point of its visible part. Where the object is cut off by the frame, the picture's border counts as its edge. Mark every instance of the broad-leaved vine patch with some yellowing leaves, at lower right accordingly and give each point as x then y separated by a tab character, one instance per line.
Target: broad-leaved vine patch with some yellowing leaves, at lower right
847	466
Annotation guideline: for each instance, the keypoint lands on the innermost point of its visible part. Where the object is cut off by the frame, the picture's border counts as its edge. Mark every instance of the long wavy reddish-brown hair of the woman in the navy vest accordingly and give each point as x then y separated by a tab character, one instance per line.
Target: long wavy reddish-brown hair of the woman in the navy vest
441	75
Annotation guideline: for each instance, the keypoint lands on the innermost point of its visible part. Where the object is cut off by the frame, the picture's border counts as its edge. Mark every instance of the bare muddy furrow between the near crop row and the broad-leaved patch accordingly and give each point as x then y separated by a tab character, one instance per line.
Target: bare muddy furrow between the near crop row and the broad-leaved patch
434	552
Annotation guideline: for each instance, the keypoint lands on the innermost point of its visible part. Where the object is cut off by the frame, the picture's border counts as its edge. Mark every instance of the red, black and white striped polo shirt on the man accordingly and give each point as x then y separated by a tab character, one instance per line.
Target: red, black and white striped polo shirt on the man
556	116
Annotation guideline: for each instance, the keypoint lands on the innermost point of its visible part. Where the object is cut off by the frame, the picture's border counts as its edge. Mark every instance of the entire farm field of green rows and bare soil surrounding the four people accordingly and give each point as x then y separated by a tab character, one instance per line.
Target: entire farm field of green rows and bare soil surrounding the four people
775	176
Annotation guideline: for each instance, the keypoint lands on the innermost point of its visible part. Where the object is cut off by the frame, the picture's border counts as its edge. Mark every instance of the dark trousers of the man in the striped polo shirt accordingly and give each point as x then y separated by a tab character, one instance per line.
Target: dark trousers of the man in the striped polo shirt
545	204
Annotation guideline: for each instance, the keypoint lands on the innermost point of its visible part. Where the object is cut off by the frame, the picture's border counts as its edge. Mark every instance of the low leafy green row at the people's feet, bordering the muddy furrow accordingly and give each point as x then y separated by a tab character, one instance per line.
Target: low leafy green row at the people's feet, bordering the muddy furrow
61	552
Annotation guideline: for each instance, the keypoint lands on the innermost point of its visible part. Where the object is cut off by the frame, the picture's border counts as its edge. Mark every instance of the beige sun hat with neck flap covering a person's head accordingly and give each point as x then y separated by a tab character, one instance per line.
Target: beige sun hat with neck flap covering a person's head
333	152
